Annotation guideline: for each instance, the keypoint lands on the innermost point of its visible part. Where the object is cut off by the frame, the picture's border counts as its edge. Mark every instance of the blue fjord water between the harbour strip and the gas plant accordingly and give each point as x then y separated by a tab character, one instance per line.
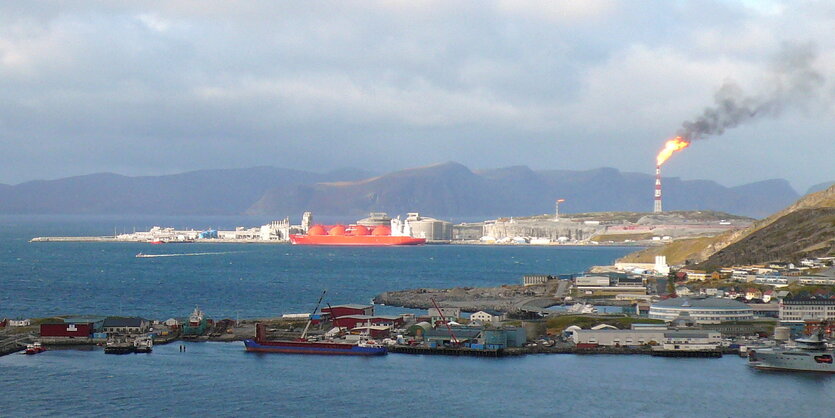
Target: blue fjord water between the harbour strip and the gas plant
245	280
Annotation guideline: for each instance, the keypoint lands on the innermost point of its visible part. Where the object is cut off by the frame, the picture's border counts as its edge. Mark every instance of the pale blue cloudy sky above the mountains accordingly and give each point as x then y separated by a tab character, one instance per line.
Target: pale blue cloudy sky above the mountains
159	87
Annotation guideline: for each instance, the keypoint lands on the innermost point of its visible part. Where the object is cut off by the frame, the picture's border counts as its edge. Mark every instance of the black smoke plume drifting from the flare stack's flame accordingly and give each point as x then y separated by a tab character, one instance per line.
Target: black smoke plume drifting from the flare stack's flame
794	82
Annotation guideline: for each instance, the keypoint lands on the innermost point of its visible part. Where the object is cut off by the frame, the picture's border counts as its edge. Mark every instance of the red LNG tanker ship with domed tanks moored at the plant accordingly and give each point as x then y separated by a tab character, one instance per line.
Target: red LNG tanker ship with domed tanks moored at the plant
353	235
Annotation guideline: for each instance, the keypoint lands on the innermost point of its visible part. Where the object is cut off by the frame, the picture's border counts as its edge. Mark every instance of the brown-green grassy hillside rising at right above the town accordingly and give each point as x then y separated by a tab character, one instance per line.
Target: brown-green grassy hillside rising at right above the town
806	228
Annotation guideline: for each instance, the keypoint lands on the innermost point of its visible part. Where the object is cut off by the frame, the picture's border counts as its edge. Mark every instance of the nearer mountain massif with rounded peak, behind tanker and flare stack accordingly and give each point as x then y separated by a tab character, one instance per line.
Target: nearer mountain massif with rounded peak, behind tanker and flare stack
452	190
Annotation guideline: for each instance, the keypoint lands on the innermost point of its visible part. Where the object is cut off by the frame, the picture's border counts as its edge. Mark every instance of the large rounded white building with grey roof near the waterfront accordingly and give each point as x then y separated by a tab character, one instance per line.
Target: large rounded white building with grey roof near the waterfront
702	310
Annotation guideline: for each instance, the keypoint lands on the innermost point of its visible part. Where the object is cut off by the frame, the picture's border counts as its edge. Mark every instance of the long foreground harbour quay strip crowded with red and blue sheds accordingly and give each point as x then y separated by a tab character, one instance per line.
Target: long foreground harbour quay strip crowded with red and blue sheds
483	334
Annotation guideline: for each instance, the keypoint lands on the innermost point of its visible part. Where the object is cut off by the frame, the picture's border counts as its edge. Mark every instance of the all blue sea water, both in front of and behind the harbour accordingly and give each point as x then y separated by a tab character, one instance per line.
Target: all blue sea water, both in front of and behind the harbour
40	279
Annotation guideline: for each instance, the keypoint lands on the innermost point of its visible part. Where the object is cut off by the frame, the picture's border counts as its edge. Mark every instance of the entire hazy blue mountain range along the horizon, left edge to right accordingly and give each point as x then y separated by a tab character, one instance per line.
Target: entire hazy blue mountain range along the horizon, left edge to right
448	190
